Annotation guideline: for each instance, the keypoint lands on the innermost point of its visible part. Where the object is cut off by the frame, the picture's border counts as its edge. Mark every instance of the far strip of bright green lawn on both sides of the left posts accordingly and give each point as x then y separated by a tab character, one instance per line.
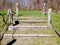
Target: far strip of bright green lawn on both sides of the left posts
25	13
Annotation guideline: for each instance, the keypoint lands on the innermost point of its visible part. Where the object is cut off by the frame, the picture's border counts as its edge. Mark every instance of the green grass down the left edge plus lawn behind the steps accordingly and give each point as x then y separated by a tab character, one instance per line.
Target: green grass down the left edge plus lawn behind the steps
21	13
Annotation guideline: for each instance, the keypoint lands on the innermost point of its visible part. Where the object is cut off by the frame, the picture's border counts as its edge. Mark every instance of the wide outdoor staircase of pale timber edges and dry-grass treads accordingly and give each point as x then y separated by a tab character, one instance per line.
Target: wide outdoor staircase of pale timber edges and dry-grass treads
29	29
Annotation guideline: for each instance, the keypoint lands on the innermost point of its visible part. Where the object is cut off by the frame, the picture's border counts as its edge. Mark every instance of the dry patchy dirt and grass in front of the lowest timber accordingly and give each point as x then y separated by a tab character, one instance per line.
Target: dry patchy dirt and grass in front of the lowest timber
33	41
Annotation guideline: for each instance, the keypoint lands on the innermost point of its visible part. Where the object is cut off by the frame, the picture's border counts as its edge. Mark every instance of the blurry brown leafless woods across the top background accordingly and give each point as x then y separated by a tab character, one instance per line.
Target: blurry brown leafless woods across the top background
30	5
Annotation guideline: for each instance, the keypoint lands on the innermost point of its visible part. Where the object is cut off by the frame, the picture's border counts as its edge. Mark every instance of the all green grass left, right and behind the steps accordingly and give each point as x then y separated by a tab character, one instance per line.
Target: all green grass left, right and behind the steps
55	17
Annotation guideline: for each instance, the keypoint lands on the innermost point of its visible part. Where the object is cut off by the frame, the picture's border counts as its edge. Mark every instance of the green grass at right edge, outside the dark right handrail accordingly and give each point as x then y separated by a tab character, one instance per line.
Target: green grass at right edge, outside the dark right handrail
56	21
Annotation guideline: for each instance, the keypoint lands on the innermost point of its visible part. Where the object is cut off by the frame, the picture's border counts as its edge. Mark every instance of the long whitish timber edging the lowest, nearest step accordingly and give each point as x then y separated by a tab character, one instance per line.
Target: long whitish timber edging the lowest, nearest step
29	35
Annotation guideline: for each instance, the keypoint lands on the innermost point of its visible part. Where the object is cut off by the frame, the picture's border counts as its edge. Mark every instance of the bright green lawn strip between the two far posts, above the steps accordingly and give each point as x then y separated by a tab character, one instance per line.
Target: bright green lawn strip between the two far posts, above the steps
30	13
